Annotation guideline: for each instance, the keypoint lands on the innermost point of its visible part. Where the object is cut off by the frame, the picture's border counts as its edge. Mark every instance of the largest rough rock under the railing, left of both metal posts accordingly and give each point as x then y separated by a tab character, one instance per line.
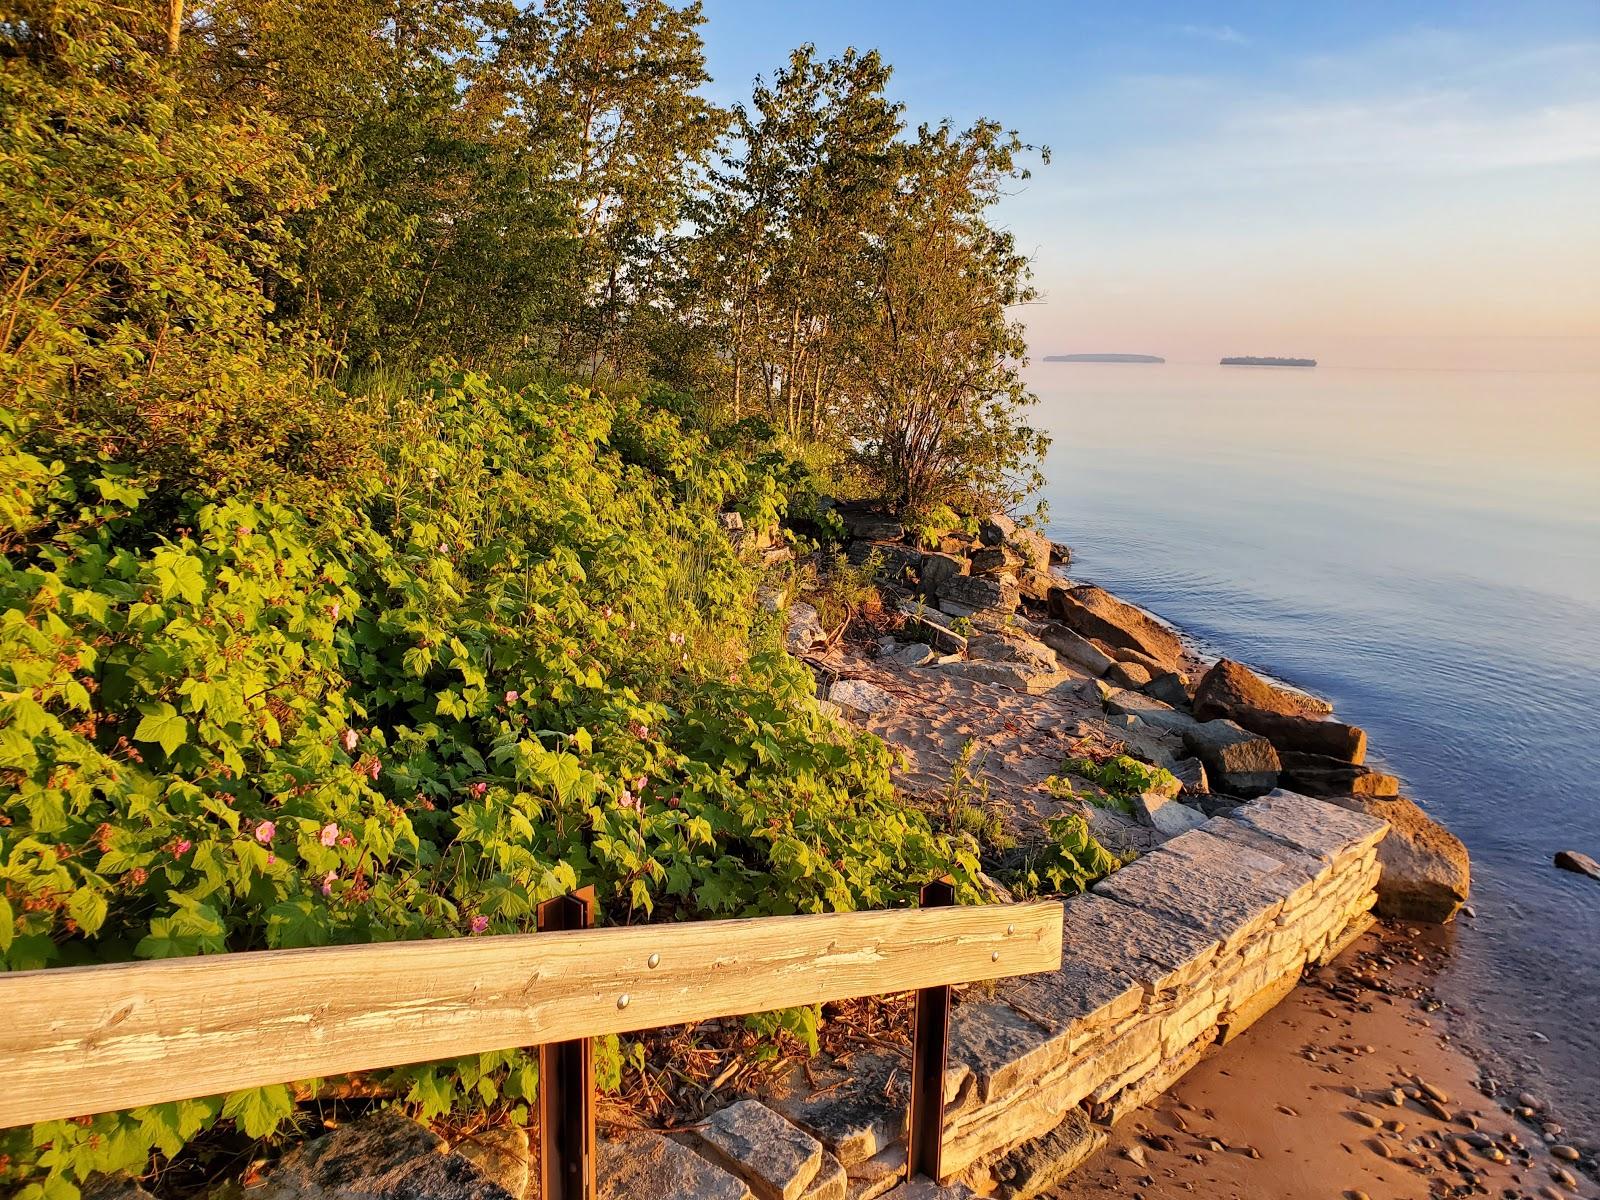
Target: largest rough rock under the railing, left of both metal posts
385	1156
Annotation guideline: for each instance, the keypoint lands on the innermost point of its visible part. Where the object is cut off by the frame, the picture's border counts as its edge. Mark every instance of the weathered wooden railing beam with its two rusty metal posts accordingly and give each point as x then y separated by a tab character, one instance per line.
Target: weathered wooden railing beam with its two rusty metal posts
95	1039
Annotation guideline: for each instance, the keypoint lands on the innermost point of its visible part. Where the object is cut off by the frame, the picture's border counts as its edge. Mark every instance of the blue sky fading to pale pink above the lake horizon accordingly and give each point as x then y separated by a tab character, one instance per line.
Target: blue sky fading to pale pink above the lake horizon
1372	185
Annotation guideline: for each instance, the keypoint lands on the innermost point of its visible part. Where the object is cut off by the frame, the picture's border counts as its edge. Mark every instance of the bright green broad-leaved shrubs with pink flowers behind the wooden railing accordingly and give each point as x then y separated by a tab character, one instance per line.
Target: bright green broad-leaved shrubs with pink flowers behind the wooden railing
514	658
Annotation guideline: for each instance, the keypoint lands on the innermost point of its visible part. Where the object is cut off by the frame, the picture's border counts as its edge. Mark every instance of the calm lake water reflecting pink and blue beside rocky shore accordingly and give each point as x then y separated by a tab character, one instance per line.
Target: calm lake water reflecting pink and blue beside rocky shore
1422	548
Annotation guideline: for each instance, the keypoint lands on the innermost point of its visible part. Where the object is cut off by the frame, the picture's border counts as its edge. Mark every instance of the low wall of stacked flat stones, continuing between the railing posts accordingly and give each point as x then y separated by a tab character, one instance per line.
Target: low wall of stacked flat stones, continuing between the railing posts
1164	961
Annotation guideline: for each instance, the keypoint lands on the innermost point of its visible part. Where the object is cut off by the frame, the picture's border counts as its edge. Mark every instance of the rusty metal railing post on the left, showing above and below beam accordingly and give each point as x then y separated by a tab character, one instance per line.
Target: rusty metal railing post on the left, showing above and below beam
567	1082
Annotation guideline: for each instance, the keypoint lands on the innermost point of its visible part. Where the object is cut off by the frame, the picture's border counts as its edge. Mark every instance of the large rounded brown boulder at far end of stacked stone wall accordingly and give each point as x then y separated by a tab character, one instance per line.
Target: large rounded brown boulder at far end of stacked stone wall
1426	871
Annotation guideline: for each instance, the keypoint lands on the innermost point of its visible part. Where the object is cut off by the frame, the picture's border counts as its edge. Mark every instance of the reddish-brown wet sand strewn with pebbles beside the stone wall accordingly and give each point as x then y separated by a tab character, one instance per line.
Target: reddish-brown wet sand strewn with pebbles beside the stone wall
1290	1108
